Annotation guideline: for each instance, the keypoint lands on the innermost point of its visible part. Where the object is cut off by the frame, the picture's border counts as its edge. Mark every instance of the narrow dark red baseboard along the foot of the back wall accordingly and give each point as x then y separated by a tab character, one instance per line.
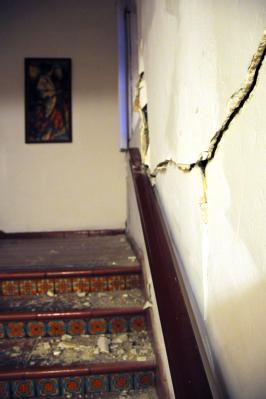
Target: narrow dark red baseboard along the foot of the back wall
61	234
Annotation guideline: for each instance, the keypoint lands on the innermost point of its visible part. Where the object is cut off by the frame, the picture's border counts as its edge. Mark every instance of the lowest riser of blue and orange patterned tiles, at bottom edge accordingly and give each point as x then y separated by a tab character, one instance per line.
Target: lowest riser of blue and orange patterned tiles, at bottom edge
49	387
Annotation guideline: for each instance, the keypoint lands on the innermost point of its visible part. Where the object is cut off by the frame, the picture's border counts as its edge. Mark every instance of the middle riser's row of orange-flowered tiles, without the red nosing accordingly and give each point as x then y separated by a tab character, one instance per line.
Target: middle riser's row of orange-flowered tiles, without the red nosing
55	328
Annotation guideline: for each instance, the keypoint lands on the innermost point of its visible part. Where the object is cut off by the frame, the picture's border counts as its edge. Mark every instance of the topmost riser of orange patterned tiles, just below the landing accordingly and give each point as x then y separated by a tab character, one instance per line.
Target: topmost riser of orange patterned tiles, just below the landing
66	285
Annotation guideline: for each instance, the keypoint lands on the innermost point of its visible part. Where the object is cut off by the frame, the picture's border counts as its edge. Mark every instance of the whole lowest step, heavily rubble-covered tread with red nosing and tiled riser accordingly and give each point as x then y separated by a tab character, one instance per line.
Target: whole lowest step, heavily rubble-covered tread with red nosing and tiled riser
71	365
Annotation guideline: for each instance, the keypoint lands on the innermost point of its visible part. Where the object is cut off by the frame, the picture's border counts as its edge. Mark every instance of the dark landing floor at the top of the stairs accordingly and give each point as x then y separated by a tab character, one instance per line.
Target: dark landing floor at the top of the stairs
65	253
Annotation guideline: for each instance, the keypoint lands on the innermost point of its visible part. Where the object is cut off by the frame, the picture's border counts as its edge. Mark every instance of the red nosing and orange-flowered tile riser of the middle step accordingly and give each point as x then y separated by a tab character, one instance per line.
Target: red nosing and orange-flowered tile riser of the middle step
74	323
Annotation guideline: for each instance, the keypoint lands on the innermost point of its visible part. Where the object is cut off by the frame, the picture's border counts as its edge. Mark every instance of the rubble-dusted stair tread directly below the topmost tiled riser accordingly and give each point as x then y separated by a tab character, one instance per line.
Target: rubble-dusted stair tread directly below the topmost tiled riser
72	301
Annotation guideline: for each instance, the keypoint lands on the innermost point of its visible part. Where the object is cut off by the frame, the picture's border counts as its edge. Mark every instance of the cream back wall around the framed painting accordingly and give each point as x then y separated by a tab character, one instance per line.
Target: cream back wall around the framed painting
62	186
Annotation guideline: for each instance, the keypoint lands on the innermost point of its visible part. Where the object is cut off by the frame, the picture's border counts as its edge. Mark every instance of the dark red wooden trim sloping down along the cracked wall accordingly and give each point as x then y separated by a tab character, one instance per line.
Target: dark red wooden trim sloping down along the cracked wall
185	362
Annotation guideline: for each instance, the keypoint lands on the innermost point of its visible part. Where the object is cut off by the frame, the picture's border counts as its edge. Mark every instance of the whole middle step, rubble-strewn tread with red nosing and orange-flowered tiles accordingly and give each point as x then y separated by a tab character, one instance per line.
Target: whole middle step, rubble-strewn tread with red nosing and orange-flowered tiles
73	314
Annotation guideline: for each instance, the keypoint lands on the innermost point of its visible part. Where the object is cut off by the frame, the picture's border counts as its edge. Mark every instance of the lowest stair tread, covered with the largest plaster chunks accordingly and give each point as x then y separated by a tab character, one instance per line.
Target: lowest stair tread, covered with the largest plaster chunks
17	353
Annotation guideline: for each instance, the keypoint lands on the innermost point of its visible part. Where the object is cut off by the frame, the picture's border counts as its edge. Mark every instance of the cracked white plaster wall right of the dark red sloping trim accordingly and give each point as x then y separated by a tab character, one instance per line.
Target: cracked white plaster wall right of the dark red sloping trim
195	56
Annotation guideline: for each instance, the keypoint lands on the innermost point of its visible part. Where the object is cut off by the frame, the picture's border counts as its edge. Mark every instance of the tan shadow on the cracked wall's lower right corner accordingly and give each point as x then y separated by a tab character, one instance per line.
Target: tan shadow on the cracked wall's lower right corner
239	330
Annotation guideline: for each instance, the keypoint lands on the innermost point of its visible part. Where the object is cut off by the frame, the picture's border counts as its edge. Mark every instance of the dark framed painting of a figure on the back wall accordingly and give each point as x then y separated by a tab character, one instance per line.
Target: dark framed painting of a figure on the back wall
48	100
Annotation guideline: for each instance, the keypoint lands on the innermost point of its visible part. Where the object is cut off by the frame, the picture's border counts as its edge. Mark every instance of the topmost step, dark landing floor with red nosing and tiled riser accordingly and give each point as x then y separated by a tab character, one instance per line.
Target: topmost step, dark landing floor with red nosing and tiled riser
60	266
